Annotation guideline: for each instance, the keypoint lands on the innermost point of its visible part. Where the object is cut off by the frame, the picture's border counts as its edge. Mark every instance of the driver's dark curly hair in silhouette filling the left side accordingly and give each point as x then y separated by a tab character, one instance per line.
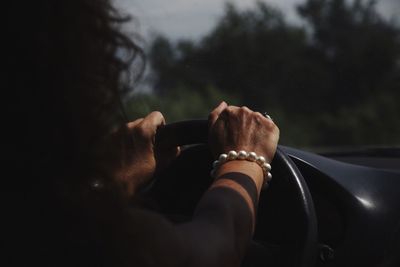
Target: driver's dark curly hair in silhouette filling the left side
68	65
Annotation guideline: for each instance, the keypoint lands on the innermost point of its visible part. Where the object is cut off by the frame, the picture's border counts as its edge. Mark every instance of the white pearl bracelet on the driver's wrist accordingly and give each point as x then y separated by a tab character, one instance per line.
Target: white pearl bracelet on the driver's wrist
243	155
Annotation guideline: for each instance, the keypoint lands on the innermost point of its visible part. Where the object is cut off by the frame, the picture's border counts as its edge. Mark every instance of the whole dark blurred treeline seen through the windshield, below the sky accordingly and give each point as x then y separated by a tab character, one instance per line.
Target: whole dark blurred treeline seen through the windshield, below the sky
334	81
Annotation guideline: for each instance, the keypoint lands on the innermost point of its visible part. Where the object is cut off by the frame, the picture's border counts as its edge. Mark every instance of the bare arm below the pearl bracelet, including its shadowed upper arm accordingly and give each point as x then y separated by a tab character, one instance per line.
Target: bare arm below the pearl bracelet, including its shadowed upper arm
217	235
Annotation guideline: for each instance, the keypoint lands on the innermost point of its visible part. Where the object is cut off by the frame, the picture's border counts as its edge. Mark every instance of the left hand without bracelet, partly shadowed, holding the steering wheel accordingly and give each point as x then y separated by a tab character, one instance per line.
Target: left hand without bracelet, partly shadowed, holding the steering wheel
141	158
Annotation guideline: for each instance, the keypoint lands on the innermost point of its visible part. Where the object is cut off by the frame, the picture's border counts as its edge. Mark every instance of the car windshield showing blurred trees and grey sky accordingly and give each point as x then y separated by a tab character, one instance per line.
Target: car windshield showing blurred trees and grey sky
327	71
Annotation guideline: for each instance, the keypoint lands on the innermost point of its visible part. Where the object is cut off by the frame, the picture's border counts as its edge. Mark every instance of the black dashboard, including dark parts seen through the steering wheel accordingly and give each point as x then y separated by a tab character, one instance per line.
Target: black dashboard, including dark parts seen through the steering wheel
357	207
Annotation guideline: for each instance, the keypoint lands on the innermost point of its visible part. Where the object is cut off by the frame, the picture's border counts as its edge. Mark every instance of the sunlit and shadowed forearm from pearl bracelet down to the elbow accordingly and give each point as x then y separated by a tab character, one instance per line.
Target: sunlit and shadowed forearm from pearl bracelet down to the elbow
224	219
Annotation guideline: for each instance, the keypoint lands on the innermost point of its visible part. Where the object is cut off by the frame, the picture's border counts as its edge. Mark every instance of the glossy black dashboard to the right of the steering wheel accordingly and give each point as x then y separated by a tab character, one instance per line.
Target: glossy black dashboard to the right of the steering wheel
357	207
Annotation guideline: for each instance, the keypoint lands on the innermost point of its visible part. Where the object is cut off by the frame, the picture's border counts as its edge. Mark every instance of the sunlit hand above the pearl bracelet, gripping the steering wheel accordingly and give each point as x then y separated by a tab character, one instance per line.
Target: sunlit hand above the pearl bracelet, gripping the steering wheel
234	128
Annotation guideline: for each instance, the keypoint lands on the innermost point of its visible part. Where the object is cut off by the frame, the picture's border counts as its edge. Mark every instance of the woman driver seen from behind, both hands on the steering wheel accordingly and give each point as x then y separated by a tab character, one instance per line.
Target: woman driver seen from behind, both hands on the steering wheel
68	65
